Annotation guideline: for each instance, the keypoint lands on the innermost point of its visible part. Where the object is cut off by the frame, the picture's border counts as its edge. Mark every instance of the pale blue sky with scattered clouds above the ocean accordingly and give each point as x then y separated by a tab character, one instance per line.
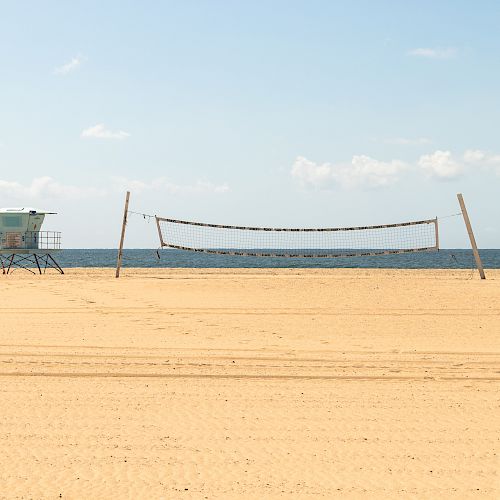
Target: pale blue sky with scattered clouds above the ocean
266	113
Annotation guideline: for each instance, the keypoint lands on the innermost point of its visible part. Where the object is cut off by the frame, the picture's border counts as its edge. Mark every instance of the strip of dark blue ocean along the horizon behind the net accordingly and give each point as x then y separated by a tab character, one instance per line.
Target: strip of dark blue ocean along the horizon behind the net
444	259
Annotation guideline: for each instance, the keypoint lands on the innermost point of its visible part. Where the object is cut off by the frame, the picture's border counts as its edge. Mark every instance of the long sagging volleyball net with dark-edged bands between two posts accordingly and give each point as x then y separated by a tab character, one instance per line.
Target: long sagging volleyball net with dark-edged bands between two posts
416	236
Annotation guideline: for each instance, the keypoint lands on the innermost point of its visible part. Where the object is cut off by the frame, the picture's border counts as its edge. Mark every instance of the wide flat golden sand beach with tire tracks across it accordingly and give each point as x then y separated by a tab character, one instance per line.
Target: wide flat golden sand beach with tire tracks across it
250	384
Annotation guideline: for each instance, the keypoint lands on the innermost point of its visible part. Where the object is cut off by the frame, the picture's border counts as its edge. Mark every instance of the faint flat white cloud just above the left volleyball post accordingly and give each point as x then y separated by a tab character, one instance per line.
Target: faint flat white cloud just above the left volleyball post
162	184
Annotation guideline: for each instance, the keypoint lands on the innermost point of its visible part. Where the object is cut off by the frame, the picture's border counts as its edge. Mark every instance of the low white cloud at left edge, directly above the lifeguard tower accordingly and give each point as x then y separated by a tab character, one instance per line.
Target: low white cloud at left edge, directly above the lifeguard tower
45	188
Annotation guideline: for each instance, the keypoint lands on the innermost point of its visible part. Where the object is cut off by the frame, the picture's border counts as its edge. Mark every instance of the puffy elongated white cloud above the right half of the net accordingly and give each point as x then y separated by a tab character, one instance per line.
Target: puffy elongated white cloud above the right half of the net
362	171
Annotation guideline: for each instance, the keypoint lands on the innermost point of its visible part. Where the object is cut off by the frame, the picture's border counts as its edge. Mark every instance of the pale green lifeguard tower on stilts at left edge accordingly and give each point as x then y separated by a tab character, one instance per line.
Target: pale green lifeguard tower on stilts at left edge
23	245
